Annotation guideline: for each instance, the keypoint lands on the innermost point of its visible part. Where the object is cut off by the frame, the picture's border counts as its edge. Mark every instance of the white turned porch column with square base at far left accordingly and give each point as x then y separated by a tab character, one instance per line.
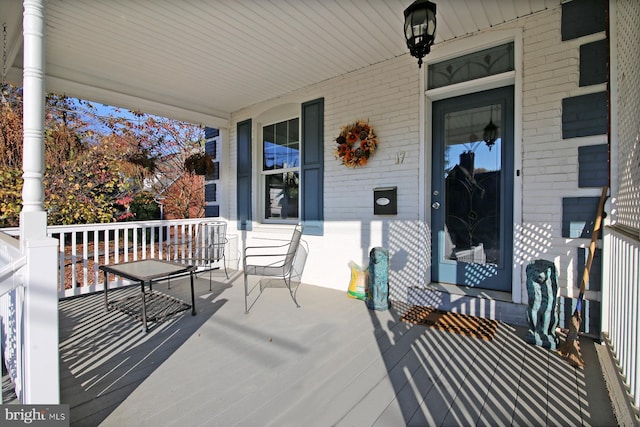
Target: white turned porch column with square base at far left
41	372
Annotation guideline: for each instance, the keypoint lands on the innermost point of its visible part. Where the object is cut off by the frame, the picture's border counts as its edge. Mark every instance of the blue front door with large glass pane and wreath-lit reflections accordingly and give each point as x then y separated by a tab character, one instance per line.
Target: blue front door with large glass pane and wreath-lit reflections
472	190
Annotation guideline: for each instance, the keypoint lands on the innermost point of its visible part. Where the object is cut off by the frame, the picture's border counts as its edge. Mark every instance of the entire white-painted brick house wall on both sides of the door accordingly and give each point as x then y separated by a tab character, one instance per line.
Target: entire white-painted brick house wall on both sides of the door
387	95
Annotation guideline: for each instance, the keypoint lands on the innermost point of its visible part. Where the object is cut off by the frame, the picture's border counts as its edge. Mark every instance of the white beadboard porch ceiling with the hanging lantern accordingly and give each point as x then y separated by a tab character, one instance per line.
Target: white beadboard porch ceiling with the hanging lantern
202	60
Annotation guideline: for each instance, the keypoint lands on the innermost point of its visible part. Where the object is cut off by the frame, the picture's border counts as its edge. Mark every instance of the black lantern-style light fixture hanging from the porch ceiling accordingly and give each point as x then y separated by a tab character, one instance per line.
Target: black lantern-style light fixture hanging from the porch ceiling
420	28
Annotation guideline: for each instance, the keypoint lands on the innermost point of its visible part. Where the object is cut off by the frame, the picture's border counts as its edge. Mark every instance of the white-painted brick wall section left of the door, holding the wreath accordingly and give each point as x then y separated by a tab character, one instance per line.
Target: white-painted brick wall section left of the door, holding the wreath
385	94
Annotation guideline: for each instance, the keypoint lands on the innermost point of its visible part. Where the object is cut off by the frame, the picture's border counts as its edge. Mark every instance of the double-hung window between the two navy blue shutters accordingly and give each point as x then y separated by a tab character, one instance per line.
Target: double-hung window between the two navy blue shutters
281	171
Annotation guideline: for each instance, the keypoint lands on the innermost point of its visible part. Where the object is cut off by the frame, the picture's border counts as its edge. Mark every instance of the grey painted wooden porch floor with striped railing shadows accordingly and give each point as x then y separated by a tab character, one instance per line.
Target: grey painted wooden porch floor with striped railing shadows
330	362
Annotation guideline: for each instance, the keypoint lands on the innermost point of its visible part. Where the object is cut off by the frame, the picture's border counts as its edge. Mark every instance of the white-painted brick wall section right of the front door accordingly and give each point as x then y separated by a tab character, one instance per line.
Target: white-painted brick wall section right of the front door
549	163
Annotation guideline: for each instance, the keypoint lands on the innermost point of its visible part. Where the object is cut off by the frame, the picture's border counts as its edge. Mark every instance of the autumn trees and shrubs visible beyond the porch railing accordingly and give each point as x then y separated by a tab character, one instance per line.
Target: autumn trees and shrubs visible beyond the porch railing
96	166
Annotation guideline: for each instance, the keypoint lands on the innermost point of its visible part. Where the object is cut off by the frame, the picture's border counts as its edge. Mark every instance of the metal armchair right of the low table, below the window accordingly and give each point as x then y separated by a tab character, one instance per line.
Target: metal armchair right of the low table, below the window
272	261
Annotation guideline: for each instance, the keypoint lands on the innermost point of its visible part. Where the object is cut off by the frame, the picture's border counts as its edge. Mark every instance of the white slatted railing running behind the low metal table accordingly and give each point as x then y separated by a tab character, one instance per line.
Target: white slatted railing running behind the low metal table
84	247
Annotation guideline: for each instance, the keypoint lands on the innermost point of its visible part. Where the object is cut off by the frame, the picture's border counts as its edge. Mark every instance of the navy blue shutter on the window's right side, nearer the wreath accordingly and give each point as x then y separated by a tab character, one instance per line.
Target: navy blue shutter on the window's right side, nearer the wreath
312	167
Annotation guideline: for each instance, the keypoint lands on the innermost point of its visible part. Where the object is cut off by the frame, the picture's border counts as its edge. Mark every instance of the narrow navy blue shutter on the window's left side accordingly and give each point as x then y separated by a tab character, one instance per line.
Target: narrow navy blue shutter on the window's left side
244	175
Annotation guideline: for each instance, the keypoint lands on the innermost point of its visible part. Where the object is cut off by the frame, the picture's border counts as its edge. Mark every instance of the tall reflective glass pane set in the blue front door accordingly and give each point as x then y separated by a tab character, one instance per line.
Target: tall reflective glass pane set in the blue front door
471	173
